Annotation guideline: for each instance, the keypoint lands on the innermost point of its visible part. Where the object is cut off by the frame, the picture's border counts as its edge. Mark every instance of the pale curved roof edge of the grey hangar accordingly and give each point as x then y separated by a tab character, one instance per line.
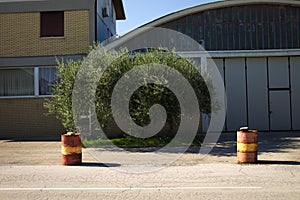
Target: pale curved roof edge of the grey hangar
196	9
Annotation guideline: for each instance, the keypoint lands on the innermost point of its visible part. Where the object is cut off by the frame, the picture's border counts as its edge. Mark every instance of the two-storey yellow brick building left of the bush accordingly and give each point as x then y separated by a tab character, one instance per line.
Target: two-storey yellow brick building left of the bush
33	35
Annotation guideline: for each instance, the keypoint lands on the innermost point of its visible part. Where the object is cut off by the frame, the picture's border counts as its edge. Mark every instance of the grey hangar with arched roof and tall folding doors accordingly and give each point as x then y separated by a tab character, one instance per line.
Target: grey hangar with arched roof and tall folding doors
256	46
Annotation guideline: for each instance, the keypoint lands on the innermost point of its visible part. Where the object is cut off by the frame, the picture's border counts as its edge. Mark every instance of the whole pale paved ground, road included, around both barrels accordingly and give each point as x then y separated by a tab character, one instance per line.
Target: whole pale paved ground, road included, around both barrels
33	170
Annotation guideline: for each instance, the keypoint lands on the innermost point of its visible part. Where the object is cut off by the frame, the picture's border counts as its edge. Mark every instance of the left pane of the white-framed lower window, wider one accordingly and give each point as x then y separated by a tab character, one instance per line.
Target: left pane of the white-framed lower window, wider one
17	82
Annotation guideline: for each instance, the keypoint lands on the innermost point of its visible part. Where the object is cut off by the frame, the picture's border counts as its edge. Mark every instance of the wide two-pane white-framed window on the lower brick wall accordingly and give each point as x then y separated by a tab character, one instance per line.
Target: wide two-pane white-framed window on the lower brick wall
34	81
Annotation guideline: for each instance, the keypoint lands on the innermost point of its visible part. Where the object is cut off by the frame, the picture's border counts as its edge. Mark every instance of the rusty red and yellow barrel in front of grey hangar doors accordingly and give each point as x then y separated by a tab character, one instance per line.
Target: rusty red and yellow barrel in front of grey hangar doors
247	146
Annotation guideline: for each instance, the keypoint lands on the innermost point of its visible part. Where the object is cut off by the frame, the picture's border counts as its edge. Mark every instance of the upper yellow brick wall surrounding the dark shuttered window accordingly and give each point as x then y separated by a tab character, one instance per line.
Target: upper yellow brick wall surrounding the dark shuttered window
20	35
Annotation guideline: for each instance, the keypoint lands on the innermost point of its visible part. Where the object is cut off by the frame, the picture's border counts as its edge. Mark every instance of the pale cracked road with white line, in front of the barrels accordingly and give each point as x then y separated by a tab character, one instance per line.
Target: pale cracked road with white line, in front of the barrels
203	181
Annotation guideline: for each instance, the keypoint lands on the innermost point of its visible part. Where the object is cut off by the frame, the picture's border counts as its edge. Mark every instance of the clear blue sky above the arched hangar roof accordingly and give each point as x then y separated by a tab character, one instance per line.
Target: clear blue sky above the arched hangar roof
139	12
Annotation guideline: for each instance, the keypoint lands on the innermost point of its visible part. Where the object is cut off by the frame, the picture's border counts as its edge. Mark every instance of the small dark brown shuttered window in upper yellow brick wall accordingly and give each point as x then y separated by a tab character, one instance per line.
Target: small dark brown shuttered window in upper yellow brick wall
52	24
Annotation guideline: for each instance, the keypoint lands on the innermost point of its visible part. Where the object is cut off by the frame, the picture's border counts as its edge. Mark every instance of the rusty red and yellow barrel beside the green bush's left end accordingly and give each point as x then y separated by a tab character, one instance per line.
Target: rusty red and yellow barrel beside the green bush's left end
71	149
